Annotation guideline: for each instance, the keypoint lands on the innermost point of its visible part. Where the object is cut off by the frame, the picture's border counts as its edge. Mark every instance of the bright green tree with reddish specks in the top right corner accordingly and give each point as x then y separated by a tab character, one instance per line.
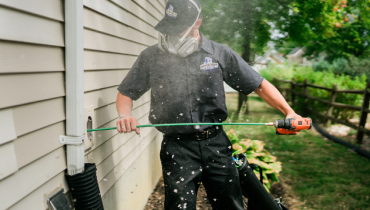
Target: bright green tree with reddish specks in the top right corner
336	28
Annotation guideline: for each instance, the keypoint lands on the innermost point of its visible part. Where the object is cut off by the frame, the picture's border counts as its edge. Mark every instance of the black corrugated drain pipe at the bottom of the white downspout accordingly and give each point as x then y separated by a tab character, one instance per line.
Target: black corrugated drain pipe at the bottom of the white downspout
85	189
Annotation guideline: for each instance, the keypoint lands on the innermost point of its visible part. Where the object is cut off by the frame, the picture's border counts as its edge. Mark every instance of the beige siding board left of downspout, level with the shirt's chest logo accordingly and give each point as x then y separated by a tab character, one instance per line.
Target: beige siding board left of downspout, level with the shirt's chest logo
20	57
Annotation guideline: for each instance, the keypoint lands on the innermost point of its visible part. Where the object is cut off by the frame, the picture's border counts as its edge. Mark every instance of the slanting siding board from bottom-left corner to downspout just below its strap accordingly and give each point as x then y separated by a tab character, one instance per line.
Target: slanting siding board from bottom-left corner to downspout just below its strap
31	177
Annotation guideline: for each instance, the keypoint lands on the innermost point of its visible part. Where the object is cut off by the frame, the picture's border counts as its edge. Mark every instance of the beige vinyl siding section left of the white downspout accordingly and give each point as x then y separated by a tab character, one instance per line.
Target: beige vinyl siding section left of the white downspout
32	88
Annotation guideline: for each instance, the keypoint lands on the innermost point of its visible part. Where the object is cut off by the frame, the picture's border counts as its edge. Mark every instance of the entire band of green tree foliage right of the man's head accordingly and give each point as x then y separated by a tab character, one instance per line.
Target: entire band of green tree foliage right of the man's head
338	28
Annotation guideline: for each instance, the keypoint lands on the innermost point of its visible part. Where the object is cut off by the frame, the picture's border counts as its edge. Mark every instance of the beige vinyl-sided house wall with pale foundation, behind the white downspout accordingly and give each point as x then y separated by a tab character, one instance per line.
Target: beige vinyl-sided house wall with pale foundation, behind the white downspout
32	100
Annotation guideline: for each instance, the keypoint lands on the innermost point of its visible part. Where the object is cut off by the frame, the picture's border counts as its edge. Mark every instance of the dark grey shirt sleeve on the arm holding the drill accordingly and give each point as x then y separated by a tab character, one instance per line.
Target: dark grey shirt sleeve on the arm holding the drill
239	75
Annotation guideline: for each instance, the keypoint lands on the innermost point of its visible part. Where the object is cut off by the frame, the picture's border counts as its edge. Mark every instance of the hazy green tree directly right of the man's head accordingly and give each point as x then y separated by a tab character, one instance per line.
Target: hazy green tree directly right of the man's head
242	25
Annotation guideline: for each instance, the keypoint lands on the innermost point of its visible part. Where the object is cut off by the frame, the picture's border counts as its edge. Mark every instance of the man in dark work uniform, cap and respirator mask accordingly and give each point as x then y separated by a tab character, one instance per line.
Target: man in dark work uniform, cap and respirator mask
185	73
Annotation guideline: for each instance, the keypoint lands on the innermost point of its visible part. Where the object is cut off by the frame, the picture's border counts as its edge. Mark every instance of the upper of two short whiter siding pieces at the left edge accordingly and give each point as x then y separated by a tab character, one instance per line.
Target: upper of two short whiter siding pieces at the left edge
7	128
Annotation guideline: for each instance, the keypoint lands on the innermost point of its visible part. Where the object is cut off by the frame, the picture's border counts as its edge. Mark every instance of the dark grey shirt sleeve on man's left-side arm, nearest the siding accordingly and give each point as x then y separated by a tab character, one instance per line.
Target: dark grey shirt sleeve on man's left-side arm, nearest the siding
137	81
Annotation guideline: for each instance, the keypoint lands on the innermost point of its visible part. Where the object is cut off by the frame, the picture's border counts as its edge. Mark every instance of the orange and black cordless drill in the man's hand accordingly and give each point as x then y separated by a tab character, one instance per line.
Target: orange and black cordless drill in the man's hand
291	126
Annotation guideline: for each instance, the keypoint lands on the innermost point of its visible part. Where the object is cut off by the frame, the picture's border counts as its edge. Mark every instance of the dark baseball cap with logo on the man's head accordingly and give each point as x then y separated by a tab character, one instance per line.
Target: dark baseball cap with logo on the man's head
179	15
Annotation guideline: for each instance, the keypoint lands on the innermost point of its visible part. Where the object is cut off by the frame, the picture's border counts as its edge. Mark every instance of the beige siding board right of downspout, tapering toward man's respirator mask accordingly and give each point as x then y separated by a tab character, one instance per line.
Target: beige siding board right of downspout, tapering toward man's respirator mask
98	22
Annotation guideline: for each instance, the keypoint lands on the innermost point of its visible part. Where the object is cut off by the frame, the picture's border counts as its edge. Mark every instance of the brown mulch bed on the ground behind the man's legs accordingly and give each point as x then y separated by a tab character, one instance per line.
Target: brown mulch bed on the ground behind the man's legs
156	199
